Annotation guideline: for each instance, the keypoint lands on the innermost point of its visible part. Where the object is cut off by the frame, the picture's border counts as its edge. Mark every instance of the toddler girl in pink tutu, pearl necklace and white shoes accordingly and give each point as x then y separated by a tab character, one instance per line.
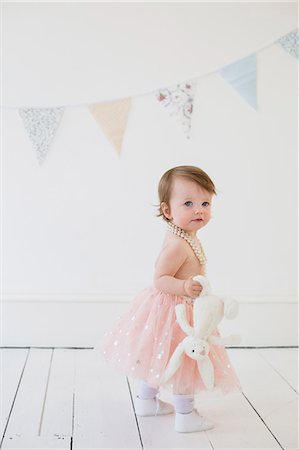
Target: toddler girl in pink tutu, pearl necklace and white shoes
145	337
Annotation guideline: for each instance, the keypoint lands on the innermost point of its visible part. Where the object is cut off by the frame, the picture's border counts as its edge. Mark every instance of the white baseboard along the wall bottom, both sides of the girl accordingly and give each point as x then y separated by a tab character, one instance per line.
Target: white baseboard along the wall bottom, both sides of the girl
83	323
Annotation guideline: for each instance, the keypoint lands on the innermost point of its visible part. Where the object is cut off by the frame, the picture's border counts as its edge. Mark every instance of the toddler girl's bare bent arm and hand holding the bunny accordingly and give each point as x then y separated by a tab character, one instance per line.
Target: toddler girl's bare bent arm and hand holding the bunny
169	262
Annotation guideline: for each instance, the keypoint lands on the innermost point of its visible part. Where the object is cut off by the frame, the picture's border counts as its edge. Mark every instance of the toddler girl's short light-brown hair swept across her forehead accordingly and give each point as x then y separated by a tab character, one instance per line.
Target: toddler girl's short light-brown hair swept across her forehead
192	173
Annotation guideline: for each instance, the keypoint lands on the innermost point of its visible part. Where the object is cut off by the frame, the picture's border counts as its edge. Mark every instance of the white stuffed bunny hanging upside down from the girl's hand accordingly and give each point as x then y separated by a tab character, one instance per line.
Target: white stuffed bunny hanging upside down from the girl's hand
208	310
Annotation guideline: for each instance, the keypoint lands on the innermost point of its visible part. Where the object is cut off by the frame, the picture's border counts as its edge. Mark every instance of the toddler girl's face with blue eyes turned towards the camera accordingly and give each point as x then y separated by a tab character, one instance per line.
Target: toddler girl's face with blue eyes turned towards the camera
189	206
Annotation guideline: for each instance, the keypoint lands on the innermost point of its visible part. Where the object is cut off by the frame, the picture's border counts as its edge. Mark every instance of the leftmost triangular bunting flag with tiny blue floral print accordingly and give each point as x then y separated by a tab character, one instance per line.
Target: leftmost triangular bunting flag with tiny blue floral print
41	125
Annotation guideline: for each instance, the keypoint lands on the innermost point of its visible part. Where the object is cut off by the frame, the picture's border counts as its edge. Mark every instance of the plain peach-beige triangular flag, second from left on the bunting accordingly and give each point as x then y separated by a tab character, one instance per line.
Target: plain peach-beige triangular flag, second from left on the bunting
112	117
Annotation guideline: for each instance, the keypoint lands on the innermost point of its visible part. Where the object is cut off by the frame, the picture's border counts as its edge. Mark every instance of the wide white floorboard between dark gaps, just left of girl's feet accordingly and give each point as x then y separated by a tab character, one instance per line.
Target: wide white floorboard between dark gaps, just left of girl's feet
103	413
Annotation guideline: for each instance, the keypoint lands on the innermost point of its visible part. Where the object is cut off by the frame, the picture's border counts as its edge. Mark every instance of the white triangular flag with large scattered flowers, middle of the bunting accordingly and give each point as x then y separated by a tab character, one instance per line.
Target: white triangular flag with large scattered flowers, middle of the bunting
178	100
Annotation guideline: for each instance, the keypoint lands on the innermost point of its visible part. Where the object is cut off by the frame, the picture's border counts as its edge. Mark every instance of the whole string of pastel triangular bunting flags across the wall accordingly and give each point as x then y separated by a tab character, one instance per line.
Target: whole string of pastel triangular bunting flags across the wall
41	123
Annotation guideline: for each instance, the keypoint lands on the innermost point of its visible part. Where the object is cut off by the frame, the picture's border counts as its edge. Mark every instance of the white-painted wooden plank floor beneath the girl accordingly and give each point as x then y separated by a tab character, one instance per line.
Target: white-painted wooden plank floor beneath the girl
68	399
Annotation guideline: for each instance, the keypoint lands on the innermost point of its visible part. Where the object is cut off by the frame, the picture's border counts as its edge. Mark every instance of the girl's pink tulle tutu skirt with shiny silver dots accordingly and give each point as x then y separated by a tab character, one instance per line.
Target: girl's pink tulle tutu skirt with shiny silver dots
145	337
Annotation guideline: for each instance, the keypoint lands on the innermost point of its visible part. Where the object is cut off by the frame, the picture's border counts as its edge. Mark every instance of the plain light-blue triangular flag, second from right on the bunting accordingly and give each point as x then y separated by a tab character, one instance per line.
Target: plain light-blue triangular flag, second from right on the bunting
241	75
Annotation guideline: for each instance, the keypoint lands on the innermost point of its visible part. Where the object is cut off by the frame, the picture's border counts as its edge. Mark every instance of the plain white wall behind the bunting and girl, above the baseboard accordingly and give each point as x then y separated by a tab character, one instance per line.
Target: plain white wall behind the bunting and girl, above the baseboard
82	226
